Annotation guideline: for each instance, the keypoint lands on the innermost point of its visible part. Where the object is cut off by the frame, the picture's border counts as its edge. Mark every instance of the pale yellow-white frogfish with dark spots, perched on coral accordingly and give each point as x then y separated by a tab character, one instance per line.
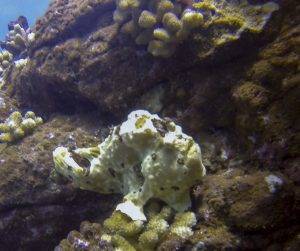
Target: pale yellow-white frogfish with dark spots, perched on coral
142	158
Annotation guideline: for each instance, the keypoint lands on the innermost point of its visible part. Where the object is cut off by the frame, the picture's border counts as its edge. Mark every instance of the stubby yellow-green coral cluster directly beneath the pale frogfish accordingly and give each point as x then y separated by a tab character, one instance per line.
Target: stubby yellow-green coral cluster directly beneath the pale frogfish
119	232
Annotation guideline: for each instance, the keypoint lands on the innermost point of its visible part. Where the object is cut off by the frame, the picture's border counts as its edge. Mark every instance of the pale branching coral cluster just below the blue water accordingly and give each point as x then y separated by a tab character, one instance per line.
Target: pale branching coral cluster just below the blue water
18	39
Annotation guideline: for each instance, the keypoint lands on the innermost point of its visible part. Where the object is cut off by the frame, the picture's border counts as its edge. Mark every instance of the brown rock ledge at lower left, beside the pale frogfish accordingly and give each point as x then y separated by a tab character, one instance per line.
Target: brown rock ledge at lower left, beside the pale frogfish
35	213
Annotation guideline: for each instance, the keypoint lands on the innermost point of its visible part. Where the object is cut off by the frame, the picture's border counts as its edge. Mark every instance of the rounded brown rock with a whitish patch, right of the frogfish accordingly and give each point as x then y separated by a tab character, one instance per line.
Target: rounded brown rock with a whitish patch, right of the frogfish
250	202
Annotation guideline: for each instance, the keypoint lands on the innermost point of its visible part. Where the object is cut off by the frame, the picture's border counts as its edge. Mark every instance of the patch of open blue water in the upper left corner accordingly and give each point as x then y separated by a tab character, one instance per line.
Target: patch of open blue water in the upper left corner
11	9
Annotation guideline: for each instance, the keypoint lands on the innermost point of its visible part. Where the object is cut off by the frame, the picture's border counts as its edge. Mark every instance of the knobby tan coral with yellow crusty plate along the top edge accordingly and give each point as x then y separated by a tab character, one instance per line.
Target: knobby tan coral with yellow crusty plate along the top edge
168	23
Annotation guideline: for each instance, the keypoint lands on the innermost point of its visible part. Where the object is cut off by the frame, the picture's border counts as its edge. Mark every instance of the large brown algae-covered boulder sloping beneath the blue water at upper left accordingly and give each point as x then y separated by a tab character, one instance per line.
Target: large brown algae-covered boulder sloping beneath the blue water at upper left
80	55
